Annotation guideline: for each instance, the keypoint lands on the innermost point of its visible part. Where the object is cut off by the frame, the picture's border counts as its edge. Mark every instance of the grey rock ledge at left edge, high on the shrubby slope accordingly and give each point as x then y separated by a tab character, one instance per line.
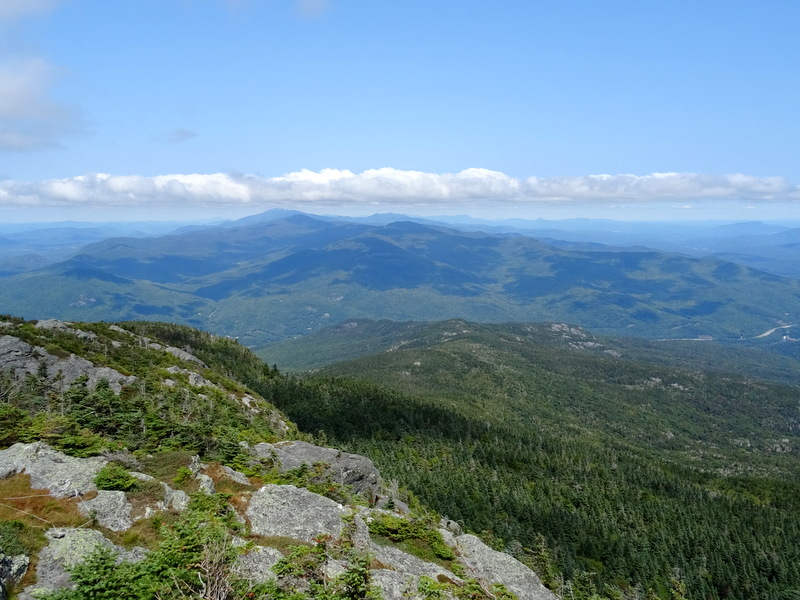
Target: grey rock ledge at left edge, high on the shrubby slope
22	359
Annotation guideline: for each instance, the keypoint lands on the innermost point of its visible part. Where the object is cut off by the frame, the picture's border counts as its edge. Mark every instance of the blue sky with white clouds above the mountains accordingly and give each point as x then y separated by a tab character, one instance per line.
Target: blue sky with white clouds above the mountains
584	108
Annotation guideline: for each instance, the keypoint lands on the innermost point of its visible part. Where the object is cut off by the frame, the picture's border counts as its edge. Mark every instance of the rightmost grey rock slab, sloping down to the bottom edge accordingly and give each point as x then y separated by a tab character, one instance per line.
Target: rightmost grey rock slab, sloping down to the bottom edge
489	566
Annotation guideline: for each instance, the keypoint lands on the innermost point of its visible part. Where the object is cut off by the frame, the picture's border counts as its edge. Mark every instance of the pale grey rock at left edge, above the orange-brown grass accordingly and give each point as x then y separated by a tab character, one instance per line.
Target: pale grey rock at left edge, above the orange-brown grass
50	469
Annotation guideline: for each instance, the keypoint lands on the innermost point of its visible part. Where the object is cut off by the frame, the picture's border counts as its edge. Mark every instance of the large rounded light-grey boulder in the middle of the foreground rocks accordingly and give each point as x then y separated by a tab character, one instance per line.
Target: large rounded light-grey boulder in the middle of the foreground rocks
288	511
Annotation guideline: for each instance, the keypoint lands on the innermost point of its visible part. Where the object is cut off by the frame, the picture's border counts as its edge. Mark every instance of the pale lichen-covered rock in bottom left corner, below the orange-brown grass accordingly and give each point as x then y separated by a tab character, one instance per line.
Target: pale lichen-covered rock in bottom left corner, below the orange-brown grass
68	547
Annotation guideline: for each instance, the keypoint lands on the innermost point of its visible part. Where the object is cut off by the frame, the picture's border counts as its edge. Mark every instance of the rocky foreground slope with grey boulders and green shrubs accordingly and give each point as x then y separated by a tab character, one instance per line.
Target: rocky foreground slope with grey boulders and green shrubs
124	508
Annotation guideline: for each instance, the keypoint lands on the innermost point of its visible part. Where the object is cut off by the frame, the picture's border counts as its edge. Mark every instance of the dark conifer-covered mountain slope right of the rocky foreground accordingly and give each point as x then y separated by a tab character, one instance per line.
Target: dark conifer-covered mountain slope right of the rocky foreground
632	471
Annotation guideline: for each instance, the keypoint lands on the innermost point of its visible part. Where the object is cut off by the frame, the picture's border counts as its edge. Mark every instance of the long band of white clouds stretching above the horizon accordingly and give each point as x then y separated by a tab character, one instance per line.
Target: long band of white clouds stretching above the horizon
388	187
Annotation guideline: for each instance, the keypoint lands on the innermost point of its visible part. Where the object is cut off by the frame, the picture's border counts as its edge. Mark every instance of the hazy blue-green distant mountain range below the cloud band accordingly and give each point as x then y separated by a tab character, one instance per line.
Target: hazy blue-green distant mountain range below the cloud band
284	274
